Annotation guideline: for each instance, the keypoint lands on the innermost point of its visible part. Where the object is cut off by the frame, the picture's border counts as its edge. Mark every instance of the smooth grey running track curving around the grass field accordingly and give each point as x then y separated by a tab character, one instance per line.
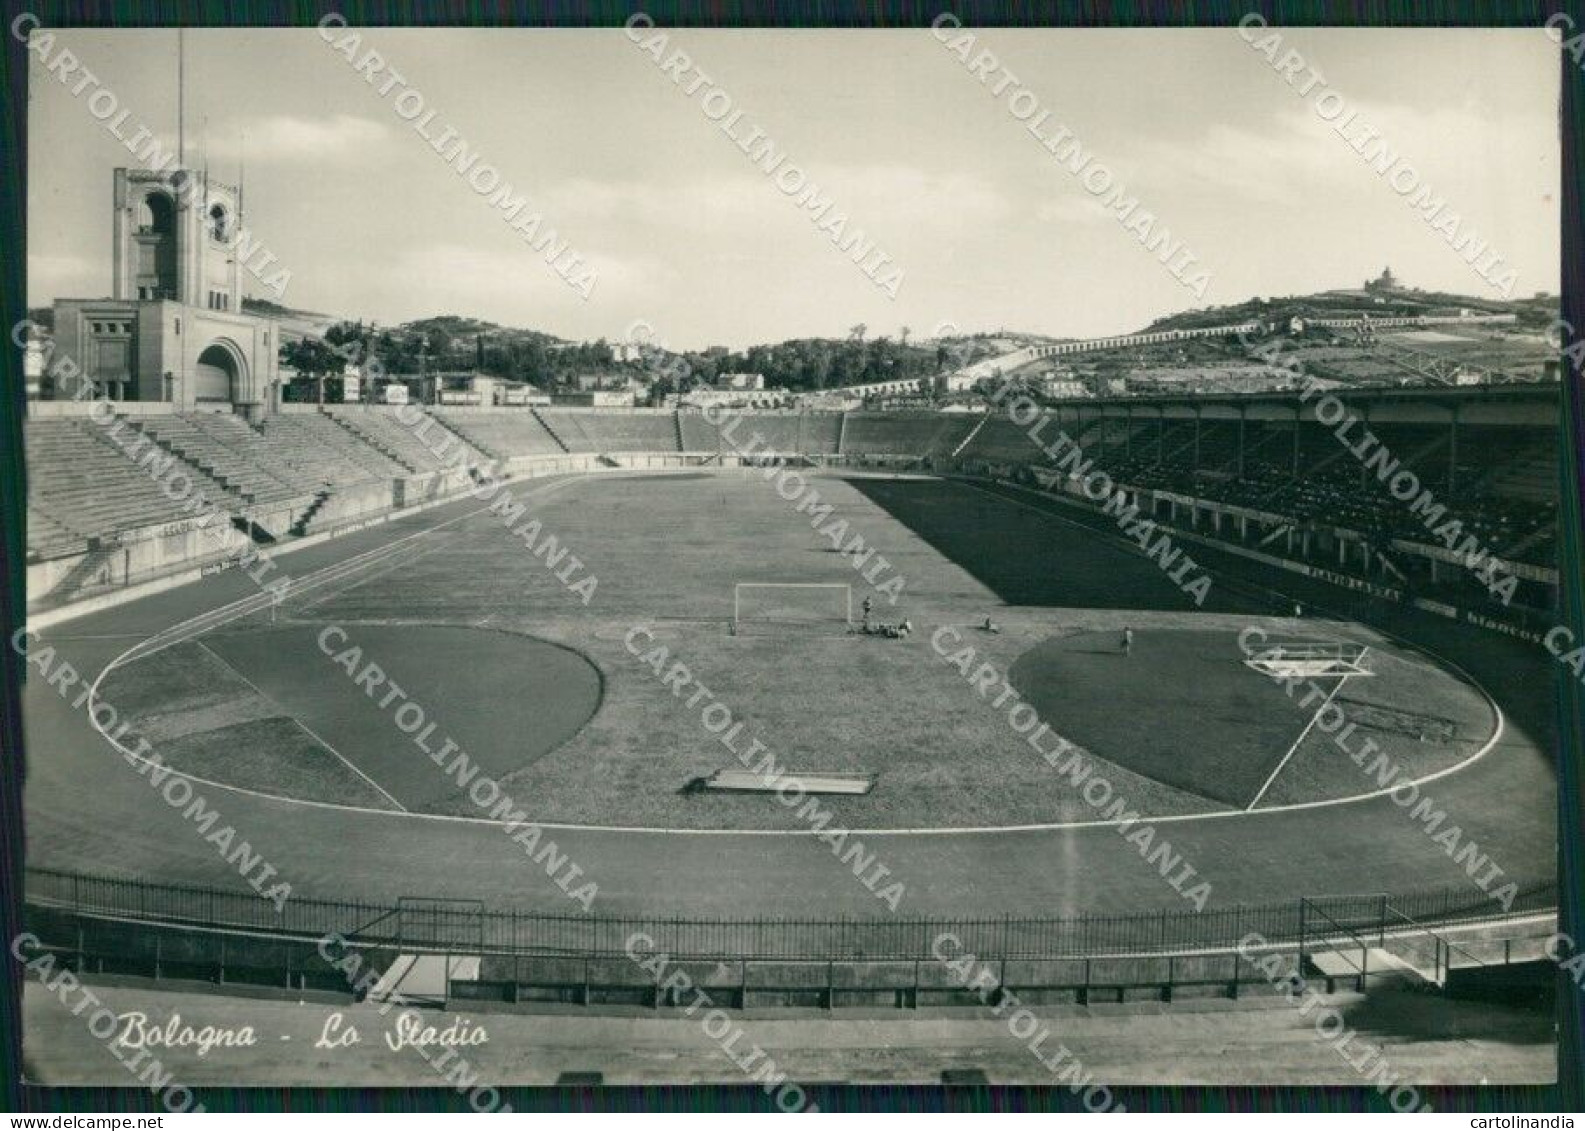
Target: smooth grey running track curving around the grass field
88	810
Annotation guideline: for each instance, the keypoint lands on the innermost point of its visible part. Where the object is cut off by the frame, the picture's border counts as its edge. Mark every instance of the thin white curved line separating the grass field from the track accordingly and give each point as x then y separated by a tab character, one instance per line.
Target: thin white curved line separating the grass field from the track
1212	815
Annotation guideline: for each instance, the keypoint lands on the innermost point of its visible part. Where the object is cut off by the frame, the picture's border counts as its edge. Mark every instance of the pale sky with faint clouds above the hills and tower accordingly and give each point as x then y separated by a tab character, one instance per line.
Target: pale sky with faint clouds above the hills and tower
687	235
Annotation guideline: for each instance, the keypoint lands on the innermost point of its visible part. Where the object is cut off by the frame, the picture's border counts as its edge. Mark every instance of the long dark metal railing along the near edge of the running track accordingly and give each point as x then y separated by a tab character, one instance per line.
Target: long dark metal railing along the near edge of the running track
435	924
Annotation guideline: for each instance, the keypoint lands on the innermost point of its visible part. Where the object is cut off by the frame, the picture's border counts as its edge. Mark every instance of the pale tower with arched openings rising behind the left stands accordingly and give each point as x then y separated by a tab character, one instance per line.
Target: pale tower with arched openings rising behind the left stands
174	327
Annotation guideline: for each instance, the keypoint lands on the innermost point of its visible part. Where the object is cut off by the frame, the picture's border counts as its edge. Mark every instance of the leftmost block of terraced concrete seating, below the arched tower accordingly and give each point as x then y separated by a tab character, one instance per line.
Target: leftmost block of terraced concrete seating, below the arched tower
78	484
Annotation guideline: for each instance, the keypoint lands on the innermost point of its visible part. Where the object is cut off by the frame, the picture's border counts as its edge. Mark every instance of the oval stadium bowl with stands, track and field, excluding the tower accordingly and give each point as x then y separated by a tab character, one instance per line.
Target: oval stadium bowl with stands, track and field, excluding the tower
483	728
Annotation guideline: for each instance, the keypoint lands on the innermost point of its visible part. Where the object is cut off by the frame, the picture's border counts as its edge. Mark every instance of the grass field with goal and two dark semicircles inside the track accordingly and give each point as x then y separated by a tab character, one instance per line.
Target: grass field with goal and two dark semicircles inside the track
543	691
